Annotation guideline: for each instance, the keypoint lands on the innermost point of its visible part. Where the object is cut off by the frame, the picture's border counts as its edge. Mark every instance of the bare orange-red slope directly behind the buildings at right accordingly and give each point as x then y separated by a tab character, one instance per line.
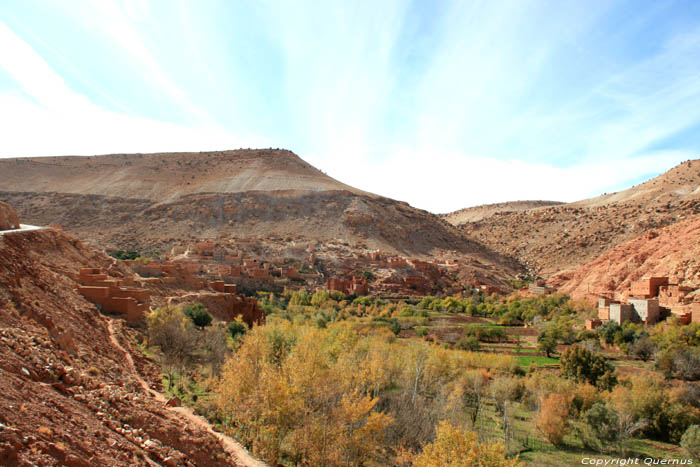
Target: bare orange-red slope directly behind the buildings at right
673	251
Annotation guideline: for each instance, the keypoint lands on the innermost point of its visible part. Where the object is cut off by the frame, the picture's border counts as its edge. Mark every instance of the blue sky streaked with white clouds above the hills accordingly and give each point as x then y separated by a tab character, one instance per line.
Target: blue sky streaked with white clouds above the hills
443	104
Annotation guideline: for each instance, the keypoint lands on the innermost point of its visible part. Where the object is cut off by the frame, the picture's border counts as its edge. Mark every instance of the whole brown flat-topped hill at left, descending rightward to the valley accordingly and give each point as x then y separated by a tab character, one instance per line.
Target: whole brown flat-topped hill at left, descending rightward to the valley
153	201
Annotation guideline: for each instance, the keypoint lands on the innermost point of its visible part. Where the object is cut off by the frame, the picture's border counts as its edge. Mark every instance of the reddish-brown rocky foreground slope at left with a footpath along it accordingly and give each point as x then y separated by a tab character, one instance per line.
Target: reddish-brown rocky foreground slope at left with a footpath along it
73	394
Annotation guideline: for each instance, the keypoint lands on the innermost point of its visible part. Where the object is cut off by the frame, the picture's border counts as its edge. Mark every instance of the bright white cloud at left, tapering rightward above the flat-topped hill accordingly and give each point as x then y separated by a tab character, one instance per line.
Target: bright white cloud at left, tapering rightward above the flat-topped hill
47	118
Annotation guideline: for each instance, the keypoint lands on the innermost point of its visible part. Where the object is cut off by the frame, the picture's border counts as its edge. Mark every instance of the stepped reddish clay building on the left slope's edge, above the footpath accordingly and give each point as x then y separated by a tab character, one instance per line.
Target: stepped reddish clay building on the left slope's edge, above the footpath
114	295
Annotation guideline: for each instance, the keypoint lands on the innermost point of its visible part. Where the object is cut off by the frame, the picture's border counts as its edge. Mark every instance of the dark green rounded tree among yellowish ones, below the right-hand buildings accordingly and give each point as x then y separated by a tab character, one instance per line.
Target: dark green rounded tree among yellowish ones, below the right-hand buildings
582	365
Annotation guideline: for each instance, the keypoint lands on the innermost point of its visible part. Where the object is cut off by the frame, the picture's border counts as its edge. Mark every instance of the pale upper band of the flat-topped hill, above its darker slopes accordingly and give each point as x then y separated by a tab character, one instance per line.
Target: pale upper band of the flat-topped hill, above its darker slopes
166	176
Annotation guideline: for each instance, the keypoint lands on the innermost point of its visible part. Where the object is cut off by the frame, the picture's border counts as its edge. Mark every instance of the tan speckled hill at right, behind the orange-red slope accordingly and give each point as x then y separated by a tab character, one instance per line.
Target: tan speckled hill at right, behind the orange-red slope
564	237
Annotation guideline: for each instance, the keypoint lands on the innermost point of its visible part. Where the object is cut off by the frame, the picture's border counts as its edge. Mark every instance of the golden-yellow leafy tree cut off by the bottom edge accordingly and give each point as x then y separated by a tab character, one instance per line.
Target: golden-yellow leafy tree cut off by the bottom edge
454	447
